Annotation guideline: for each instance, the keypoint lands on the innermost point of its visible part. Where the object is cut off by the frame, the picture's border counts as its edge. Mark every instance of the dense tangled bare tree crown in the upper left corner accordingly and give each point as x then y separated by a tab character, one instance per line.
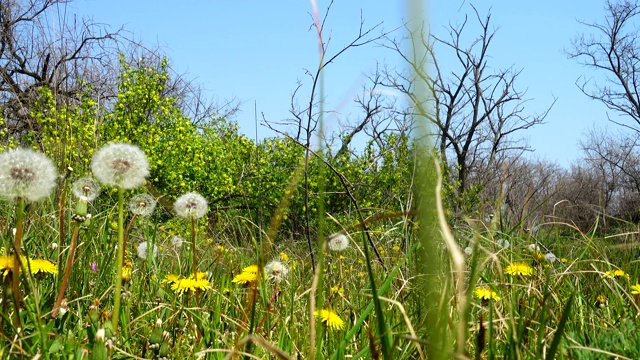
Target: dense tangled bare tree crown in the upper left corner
67	60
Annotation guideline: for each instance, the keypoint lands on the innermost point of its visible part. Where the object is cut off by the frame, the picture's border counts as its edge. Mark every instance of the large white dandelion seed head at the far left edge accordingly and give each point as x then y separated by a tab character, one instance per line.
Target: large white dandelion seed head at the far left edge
26	174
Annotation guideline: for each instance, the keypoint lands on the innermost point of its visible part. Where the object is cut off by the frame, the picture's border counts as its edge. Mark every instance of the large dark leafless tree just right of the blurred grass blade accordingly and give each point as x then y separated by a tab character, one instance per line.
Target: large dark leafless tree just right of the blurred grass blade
477	110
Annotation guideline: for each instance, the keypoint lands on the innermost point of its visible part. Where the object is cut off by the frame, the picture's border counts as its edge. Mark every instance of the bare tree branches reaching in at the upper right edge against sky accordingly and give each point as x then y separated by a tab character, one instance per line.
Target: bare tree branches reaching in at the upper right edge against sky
613	50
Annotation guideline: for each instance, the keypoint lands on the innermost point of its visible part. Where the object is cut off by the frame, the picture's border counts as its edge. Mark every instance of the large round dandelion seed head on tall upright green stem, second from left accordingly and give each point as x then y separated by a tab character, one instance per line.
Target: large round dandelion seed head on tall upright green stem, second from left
120	165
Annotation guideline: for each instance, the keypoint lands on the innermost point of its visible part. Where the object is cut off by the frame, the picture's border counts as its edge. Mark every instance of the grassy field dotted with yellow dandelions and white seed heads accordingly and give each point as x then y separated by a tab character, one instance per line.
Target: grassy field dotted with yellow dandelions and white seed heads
501	293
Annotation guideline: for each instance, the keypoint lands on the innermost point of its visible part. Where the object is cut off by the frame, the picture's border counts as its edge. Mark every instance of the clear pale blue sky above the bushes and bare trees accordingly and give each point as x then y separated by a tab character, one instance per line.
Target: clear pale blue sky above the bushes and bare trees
256	51
